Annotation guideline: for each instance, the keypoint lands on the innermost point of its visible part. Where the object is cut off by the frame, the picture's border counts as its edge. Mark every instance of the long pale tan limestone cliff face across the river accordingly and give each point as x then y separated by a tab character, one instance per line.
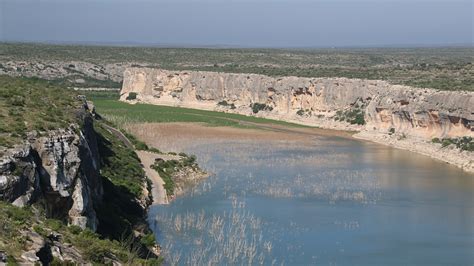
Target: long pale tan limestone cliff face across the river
324	102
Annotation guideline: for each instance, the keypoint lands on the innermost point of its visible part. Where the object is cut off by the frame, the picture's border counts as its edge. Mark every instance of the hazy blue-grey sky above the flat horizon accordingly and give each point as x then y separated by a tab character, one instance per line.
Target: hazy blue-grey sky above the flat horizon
277	23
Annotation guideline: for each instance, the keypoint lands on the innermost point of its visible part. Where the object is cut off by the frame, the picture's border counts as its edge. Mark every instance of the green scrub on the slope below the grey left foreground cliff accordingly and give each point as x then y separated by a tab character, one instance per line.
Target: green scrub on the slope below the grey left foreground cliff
17	221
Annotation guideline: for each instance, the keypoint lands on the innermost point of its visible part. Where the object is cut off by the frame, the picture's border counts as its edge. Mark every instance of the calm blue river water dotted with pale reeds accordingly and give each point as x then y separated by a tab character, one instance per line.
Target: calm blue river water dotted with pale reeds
327	201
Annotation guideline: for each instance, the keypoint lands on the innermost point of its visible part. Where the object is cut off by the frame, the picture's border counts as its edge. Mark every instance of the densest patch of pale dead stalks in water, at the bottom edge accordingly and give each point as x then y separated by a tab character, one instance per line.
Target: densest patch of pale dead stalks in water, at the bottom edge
229	238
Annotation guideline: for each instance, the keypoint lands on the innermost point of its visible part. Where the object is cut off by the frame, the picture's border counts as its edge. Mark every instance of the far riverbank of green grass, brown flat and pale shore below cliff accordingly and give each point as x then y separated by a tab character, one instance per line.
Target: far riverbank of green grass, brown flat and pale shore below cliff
183	120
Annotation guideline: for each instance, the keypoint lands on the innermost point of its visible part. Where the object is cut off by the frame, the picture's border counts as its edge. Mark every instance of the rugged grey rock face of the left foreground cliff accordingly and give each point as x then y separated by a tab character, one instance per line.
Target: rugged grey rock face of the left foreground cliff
60	170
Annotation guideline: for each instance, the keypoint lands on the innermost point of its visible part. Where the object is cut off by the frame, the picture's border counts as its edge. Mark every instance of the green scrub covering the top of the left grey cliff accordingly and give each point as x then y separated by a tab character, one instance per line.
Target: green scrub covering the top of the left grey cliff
28	104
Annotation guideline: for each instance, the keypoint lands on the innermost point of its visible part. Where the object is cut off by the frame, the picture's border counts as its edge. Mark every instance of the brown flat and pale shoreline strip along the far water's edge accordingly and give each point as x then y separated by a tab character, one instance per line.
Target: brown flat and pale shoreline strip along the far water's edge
177	136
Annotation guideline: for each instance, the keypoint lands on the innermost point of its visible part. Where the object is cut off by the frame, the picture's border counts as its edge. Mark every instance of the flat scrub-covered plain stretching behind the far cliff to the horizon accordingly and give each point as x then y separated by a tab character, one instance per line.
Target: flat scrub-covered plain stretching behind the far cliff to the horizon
445	68
